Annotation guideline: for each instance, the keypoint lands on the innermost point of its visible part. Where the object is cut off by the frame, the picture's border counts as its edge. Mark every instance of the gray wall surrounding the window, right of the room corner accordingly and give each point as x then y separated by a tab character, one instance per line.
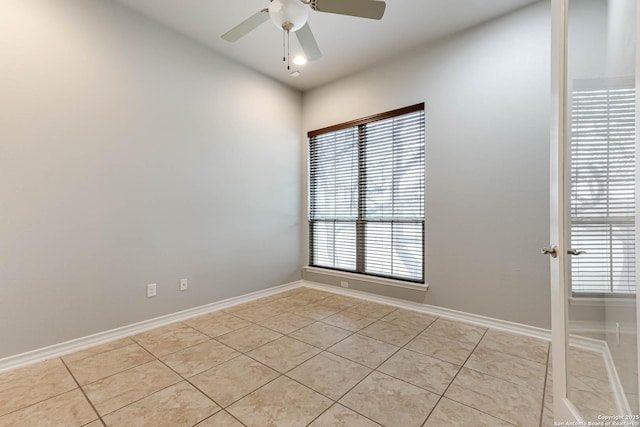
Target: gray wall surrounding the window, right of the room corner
487	159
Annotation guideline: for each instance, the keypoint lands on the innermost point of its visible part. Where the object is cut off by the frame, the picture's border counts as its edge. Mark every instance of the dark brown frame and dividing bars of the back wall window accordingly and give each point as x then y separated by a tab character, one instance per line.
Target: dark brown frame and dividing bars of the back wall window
361	221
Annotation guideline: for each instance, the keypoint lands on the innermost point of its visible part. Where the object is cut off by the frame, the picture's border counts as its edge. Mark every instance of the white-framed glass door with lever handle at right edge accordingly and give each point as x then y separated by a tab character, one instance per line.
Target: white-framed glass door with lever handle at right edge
593	87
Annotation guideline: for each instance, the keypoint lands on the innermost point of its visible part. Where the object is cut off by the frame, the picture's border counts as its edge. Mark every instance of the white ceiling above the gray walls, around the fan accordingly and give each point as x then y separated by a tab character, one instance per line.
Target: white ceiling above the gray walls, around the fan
348	44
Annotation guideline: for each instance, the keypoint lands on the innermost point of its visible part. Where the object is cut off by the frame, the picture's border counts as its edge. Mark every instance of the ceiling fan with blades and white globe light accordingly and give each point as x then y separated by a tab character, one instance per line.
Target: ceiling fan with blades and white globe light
291	16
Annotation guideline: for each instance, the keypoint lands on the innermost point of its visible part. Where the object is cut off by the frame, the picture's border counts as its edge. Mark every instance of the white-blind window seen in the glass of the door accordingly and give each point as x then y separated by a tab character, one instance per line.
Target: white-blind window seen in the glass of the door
602	151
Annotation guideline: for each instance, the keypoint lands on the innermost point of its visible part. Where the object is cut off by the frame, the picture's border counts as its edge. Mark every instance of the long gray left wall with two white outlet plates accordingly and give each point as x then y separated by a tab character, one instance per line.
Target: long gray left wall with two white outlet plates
129	155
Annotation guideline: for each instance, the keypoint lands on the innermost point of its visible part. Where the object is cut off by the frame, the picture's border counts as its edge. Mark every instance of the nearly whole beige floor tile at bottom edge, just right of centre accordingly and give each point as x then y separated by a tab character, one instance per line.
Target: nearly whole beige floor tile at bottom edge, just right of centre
389	401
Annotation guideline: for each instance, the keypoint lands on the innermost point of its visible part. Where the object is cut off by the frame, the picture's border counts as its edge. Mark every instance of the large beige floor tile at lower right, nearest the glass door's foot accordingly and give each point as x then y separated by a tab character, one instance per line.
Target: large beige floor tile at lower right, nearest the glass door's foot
510	402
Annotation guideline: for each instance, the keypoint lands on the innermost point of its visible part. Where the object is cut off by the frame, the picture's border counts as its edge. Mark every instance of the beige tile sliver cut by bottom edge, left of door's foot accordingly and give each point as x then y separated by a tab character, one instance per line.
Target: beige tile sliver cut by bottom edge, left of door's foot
449	413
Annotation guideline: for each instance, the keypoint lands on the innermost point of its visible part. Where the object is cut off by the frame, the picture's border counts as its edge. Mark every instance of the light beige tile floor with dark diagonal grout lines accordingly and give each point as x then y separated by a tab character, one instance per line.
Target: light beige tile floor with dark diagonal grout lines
299	358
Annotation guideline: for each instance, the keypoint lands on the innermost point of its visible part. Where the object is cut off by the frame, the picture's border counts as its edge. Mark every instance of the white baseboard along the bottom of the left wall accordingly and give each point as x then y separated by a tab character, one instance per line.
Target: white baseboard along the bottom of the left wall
71	346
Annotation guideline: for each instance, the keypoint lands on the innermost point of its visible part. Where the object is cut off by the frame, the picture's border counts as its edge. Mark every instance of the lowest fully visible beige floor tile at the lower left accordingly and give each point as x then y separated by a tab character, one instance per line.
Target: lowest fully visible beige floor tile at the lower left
124	388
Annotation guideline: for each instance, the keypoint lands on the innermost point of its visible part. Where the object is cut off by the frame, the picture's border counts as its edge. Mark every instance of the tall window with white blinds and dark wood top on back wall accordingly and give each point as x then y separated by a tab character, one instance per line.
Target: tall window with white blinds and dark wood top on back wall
366	195
